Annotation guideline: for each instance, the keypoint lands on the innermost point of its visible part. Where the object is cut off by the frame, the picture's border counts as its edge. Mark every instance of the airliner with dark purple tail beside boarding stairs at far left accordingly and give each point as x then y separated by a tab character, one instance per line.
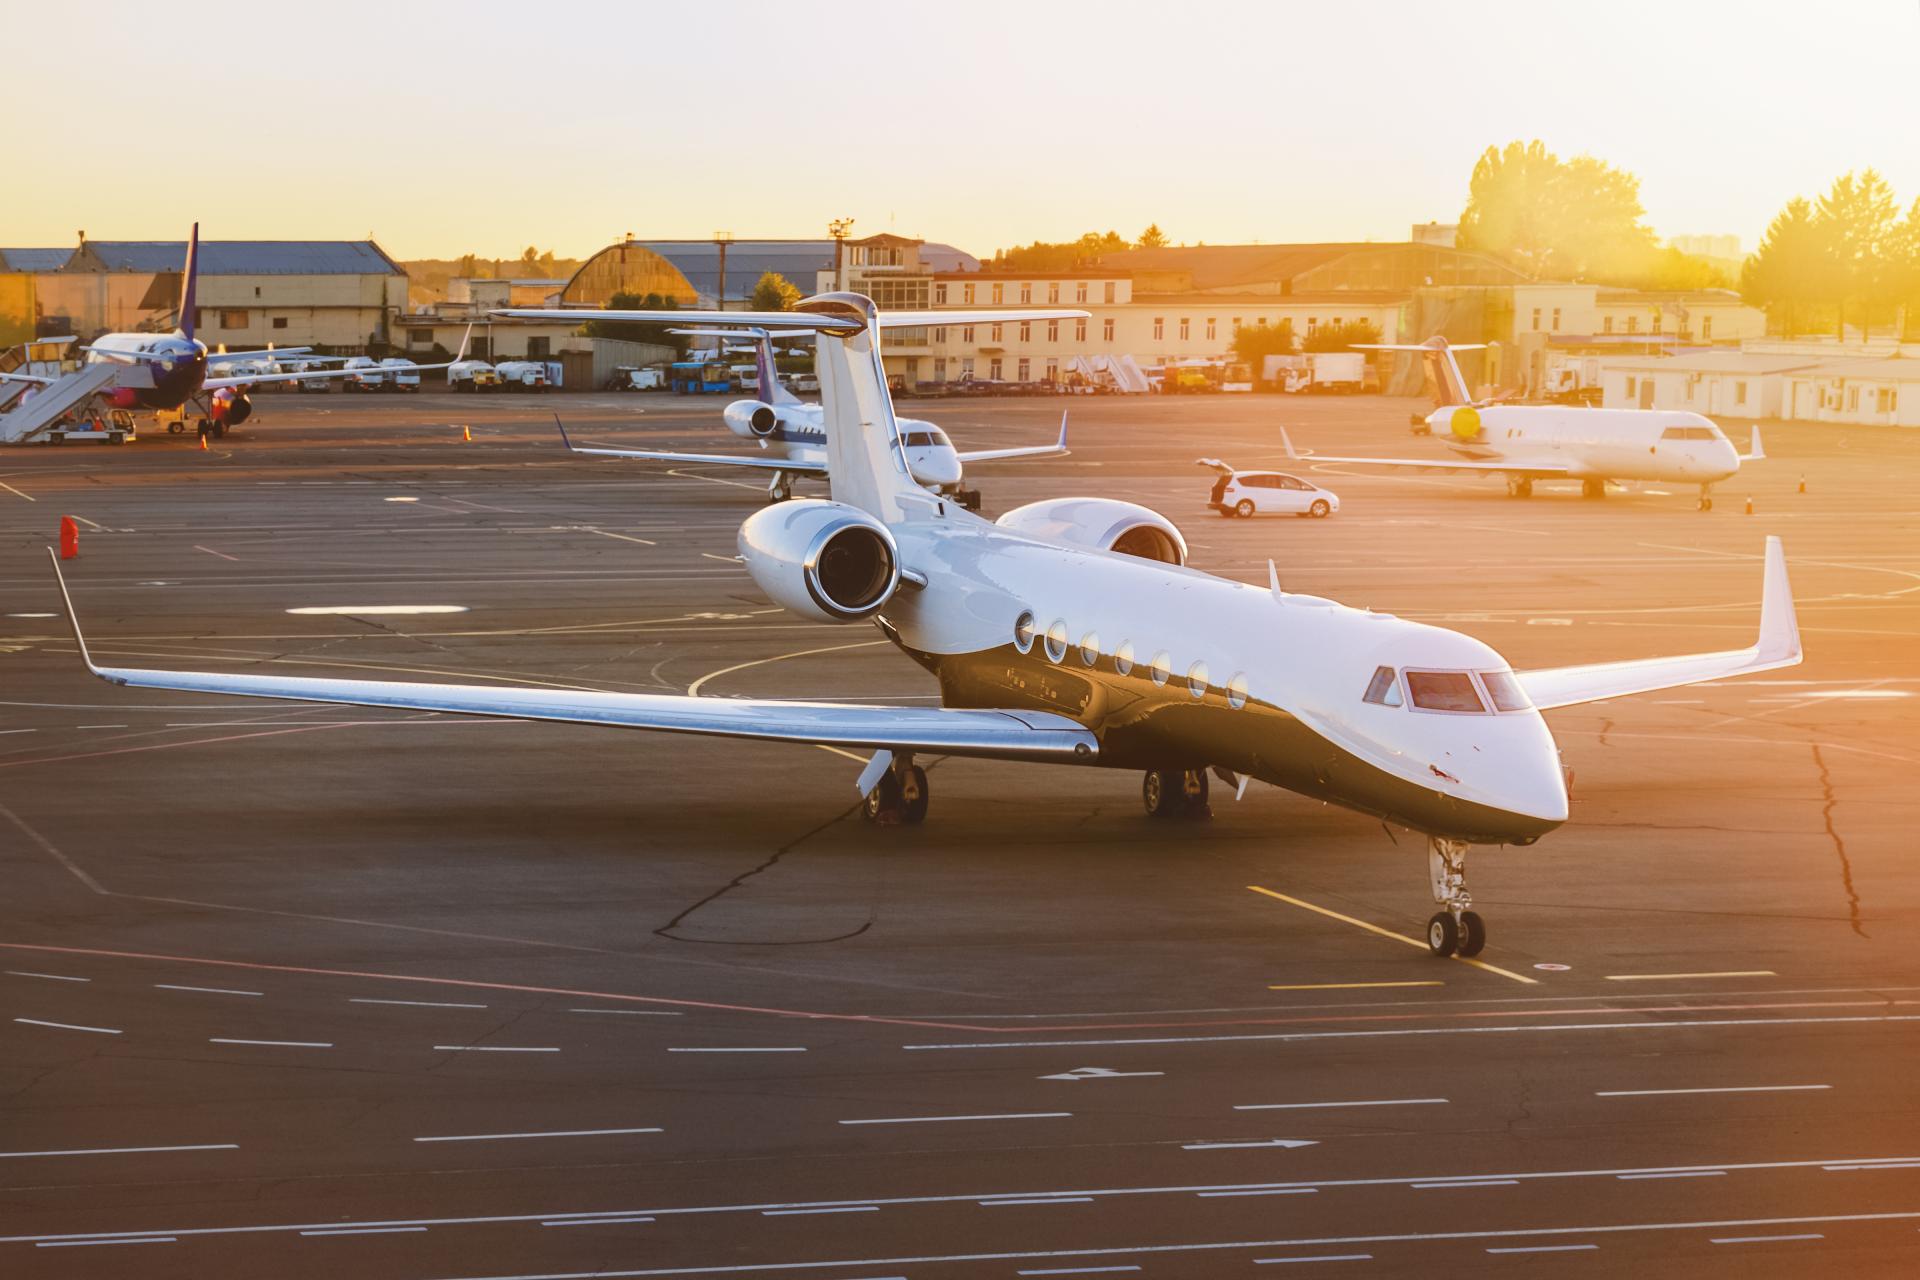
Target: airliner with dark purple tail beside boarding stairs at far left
166	371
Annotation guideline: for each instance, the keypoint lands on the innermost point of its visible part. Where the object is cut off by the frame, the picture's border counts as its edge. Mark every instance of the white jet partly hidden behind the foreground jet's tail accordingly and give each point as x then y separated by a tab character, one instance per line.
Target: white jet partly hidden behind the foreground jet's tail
792	435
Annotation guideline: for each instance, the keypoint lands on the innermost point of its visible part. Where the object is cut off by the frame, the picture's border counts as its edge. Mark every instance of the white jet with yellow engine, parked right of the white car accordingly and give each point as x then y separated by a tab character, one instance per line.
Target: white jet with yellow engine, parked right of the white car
1558	442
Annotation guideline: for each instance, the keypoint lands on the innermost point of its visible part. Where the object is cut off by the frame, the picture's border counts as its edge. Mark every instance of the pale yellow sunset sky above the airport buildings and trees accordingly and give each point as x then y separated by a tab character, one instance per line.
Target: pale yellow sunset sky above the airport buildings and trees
475	128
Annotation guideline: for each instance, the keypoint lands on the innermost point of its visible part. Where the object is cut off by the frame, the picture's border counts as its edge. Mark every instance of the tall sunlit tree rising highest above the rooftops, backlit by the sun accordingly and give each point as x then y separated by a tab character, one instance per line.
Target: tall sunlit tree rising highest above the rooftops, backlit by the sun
1577	220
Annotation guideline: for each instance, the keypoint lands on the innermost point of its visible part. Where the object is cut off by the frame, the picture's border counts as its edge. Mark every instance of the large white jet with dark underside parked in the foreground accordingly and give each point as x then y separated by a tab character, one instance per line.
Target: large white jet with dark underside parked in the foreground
1074	632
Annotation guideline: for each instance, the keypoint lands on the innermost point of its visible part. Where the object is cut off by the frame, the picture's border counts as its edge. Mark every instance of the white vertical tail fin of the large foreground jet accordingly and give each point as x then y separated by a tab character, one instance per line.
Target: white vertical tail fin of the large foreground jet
867	462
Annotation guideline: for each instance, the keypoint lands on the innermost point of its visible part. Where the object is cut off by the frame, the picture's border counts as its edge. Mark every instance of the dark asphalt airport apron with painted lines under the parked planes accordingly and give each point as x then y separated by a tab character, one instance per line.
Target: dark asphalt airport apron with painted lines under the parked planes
300	991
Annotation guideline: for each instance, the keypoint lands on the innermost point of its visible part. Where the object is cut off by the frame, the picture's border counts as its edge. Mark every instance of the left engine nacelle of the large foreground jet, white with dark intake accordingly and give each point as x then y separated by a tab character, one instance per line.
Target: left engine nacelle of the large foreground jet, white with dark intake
825	561
